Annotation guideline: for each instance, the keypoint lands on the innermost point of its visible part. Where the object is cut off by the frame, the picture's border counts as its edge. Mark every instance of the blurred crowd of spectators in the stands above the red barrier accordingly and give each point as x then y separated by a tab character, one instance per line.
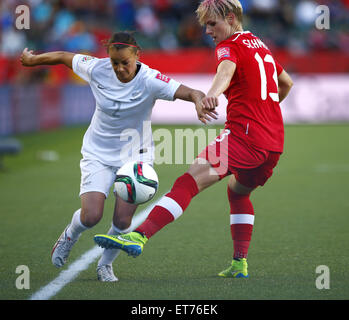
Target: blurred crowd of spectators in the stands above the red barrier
81	25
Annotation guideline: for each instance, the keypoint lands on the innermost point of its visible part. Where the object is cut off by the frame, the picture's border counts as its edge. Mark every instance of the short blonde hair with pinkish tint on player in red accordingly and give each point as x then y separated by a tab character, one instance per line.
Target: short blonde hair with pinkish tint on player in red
219	9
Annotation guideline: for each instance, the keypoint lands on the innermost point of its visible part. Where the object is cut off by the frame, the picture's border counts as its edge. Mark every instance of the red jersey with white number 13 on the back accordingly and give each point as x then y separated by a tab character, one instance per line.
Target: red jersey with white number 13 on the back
253	111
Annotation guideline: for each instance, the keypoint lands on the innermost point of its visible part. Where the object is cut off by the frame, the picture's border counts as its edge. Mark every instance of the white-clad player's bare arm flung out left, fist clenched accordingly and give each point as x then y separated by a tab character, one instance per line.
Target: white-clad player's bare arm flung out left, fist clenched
29	59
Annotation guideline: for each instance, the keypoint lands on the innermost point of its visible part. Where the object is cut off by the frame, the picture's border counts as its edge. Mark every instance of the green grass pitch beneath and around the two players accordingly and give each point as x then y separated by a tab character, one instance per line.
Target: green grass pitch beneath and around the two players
302	222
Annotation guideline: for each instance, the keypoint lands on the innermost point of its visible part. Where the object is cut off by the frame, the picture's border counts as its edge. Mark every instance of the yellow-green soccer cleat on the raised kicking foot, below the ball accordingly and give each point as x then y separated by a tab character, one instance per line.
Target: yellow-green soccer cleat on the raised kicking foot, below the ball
132	242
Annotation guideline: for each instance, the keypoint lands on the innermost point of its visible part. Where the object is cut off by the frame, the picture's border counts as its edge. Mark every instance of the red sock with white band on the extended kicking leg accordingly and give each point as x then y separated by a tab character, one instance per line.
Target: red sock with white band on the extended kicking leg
170	206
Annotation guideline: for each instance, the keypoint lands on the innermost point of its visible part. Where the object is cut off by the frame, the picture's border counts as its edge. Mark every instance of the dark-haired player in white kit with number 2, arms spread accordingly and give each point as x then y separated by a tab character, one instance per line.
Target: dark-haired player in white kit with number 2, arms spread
125	91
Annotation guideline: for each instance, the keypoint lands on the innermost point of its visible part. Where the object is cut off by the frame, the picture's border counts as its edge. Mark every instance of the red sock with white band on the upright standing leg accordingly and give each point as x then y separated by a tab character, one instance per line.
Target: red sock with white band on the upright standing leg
241	222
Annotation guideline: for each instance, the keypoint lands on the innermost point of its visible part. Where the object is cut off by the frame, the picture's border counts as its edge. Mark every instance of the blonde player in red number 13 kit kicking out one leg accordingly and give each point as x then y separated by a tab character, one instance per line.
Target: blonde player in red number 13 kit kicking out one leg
248	148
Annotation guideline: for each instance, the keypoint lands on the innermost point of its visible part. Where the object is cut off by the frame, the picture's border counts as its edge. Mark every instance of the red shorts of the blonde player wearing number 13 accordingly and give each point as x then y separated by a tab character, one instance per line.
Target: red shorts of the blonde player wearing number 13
229	154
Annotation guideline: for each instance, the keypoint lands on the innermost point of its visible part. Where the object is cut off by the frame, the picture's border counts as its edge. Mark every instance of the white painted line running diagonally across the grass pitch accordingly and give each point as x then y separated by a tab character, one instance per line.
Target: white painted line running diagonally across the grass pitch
68	275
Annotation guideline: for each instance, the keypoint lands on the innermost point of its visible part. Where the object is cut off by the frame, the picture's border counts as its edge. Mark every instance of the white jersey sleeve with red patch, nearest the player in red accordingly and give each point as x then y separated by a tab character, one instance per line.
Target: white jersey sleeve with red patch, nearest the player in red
163	87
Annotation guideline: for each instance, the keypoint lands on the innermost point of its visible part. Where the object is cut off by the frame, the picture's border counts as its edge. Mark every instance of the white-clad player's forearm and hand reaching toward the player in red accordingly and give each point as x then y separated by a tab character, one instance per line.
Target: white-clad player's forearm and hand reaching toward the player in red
196	96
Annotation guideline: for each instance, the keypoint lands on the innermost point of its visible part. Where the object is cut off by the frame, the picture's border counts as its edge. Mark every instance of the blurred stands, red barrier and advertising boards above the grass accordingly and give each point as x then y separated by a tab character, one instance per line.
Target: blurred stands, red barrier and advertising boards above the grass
43	98
